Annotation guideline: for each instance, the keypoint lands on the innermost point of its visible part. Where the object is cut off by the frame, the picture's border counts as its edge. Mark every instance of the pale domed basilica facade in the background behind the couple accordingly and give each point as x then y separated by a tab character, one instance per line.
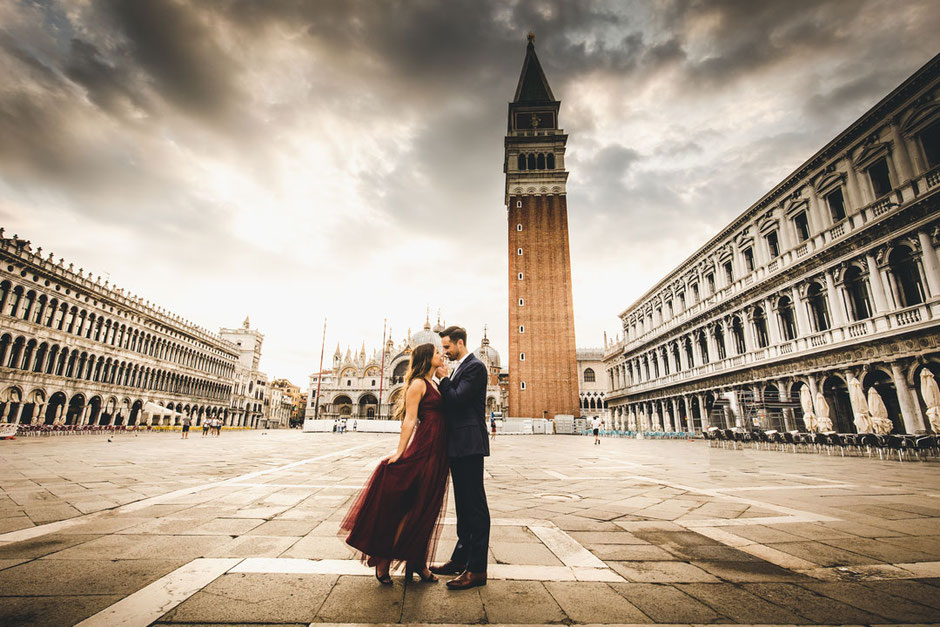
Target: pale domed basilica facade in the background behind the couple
361	385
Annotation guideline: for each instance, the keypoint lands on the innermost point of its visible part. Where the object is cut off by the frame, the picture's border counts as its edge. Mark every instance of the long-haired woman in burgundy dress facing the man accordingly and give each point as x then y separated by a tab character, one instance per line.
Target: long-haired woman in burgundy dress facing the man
397	515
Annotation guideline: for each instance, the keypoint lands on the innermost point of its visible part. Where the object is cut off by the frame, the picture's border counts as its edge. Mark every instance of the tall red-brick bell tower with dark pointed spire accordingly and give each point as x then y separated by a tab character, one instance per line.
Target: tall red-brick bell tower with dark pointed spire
543	373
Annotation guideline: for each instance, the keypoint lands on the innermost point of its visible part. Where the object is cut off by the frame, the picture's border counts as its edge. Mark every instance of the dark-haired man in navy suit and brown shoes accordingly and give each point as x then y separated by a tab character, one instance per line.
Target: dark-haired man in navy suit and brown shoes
464	394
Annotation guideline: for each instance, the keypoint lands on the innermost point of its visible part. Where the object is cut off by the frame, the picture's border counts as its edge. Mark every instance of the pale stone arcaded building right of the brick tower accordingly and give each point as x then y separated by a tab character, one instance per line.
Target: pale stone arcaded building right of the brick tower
829	281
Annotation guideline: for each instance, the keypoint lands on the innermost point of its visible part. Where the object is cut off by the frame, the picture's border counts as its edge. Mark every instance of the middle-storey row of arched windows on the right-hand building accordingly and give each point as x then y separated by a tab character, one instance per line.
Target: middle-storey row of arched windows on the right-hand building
703	344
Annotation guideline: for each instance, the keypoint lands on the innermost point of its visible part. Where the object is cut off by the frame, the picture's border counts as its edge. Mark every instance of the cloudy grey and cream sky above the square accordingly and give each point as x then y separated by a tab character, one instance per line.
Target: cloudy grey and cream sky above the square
294	160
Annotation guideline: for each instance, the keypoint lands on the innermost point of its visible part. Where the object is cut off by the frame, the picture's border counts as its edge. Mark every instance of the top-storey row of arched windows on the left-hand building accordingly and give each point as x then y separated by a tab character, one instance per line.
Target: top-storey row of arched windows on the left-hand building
53	313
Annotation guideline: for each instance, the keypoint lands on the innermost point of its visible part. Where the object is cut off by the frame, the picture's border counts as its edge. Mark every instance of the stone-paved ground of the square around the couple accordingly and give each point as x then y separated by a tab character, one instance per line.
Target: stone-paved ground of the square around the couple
243	530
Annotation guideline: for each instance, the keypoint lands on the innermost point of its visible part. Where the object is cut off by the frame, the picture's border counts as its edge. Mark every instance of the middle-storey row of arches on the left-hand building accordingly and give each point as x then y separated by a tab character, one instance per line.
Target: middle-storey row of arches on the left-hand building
42	358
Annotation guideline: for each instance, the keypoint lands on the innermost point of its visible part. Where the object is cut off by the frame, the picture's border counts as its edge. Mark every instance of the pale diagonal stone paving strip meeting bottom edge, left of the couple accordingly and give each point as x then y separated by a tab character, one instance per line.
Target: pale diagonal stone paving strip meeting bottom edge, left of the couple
156	599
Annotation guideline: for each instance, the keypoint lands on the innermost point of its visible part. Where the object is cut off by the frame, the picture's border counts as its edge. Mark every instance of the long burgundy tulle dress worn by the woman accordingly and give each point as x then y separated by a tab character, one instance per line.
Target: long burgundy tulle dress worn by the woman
398	514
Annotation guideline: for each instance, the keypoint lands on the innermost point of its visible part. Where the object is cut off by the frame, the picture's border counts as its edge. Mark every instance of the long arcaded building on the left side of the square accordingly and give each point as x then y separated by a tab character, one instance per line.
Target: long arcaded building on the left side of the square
75	350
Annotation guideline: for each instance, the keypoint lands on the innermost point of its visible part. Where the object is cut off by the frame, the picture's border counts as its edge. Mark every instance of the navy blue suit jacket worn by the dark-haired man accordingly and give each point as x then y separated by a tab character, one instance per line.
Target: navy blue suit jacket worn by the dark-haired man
465	409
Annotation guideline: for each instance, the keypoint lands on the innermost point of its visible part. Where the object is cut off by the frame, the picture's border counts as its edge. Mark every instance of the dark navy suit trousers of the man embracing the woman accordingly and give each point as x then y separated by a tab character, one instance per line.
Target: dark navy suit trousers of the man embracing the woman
473	514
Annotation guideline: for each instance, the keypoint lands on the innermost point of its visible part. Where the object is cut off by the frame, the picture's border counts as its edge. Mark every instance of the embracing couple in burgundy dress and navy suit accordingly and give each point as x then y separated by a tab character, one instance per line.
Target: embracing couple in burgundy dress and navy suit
397	516
